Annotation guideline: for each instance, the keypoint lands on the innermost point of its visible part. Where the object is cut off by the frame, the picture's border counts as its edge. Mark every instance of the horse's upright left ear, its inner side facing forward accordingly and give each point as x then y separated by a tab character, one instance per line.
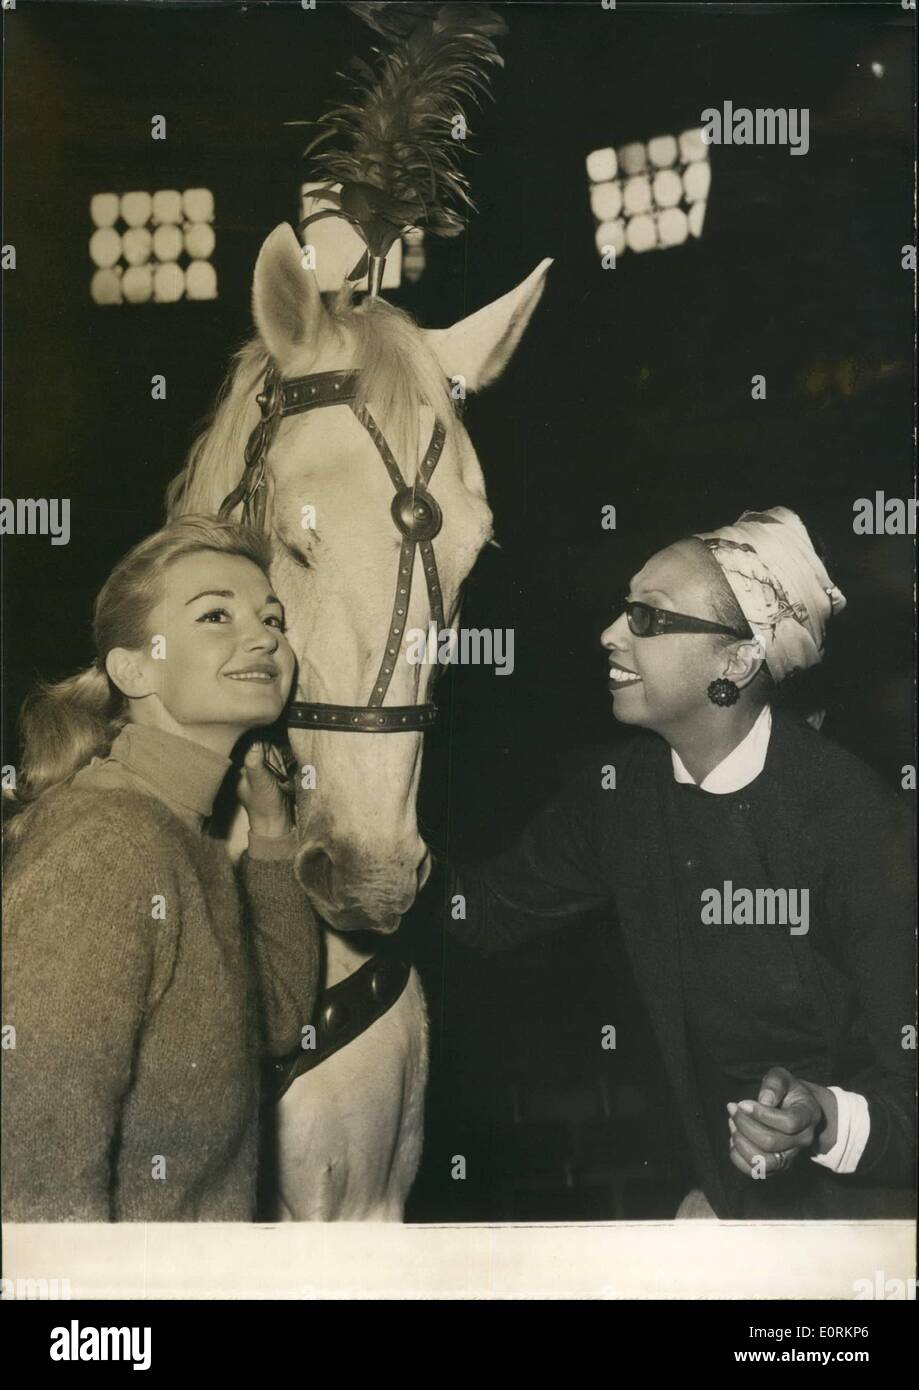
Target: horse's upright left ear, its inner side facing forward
286	298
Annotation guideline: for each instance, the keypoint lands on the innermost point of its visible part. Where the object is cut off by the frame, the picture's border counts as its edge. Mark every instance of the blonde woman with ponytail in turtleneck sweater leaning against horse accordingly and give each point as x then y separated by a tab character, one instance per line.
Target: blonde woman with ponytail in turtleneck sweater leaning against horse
143	975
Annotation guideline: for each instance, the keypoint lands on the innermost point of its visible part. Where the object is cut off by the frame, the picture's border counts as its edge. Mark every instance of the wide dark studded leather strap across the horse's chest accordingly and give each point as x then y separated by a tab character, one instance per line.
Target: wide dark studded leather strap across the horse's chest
343	1014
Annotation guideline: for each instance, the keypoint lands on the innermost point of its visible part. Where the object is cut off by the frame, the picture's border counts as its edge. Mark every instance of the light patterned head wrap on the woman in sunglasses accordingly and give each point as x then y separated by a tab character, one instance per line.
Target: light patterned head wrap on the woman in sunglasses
781	584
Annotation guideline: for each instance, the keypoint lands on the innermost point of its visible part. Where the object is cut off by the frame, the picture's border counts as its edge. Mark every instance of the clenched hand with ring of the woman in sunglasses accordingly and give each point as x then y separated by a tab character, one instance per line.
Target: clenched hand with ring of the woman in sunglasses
770	1134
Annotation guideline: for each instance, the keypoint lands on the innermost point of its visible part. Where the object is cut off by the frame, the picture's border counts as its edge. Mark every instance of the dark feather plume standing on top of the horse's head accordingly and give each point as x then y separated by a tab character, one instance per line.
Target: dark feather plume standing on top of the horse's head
396	145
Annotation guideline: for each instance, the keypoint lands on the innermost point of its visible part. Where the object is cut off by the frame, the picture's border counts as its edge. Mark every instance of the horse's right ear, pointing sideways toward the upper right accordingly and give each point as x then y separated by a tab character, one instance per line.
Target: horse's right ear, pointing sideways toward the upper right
479	348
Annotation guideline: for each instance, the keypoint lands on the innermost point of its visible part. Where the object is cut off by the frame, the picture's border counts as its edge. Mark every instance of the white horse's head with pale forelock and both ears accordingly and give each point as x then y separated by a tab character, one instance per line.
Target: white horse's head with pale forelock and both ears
337	550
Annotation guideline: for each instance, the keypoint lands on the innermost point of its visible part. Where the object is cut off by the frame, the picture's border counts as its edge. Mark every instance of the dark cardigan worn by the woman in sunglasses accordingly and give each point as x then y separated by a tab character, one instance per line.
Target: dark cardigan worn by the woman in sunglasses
827	824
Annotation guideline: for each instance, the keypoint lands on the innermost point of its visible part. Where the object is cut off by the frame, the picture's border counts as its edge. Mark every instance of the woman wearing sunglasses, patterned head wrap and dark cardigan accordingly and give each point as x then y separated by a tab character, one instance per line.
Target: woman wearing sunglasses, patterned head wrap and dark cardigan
763	881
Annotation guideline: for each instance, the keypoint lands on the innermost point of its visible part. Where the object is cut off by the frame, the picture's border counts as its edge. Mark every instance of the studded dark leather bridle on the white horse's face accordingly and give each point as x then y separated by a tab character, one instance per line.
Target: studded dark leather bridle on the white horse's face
416	516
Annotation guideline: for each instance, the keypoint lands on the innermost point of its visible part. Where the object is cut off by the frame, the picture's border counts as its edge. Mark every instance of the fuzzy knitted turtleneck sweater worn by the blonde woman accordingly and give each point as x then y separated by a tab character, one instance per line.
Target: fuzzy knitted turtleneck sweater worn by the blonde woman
145	976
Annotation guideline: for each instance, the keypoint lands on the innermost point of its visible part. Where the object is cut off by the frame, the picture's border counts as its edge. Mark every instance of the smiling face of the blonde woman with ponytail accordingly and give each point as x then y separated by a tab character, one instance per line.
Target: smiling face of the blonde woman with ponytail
223	660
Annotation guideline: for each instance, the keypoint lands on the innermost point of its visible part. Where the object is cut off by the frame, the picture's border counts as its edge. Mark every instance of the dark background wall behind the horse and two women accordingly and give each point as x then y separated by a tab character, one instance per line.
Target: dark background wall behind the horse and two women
633	387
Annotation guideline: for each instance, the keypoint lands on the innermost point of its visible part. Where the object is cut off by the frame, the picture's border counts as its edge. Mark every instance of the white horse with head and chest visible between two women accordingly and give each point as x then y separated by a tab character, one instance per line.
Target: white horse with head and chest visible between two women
350	1131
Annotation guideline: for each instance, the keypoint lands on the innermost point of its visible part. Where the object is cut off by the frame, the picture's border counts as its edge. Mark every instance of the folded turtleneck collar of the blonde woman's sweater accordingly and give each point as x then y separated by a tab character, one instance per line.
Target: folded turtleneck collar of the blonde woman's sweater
184	775
